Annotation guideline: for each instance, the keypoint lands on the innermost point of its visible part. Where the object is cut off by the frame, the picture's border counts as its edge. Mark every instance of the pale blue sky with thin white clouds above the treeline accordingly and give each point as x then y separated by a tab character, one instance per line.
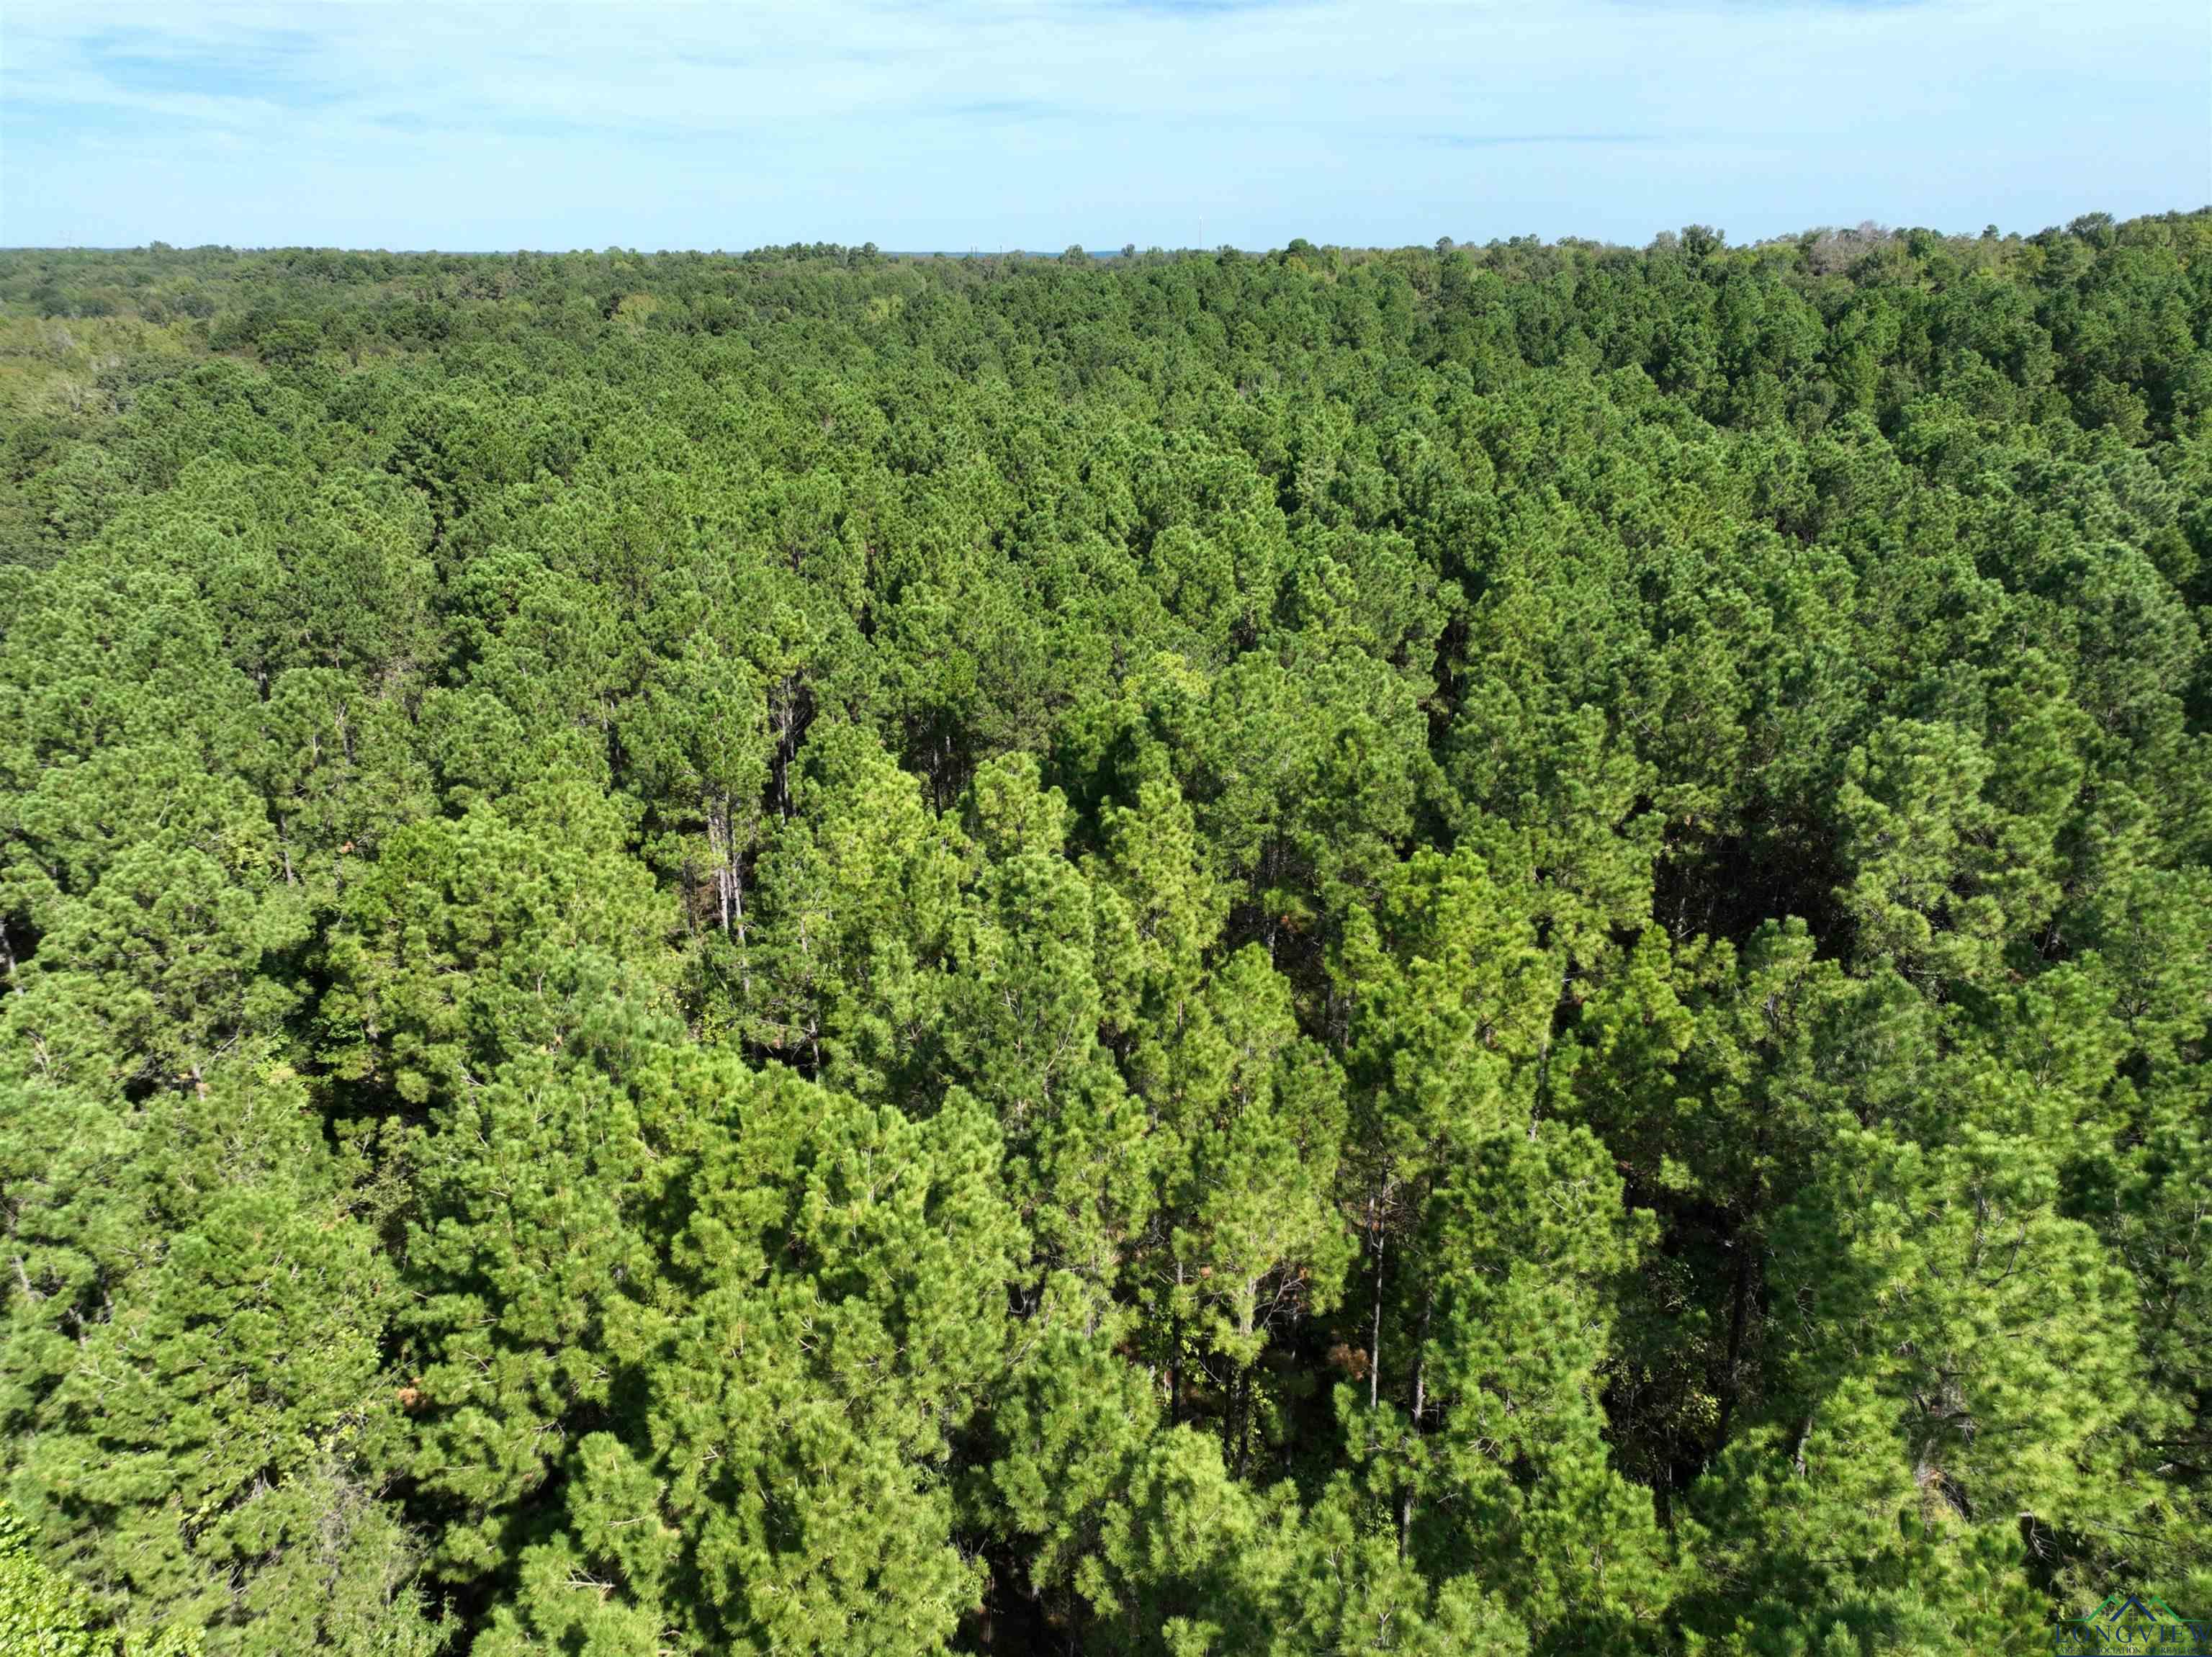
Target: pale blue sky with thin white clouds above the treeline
1041	123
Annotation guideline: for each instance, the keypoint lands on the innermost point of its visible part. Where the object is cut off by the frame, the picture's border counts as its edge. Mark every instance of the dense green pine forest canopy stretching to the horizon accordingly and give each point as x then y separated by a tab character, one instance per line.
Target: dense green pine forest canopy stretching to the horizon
1474	950
